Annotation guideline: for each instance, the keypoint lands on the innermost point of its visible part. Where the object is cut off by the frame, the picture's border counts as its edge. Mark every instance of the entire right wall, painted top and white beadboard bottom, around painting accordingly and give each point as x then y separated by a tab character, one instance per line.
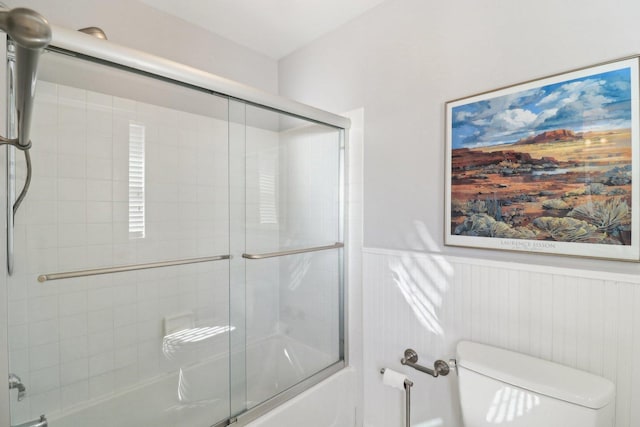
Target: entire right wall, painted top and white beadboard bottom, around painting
401	62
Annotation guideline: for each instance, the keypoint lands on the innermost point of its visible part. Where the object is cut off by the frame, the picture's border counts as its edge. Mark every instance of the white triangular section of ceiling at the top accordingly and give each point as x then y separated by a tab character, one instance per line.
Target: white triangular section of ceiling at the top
273	27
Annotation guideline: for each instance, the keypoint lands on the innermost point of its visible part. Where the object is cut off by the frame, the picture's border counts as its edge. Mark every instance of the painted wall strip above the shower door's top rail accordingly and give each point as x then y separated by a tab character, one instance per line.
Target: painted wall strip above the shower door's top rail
136	25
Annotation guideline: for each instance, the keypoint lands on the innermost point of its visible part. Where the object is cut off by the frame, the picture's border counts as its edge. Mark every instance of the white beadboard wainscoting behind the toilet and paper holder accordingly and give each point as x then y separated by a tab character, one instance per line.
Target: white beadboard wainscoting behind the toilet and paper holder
588	320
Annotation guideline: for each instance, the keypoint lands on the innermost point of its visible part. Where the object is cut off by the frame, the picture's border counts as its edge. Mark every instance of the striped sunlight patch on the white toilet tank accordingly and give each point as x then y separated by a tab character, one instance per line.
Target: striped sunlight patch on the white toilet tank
510	403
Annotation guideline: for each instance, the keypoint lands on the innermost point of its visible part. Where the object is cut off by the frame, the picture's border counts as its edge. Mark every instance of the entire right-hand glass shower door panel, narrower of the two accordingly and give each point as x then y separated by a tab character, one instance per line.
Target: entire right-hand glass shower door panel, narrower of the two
292	192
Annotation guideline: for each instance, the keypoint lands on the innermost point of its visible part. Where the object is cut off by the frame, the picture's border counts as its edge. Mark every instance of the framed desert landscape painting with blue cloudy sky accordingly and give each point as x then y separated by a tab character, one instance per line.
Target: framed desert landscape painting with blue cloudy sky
547	166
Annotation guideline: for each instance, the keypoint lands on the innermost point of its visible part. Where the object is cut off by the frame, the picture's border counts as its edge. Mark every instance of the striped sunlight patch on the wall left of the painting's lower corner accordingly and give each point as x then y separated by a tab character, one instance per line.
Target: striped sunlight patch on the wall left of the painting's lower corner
423	282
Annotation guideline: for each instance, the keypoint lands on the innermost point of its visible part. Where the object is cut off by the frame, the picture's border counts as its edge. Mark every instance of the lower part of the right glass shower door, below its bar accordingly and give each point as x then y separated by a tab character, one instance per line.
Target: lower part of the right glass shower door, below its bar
301	336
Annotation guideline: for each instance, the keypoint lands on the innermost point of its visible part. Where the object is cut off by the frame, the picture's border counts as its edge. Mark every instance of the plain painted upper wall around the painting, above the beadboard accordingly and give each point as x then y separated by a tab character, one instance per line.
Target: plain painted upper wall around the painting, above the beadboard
404	59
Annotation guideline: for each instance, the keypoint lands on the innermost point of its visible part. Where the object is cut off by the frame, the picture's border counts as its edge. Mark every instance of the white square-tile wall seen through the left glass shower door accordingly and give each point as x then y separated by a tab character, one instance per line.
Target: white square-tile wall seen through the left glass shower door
80	339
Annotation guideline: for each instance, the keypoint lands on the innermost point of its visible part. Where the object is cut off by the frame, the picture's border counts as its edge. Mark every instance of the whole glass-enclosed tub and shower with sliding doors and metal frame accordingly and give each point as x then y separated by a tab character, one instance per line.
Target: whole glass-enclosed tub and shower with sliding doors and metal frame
178	257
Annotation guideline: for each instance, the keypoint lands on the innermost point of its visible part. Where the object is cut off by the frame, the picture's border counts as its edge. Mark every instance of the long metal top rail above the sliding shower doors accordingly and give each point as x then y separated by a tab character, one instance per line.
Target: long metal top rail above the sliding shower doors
84	44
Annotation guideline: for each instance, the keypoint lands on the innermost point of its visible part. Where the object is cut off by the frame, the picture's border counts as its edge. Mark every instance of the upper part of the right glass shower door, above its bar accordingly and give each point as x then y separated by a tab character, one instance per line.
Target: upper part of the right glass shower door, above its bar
292	182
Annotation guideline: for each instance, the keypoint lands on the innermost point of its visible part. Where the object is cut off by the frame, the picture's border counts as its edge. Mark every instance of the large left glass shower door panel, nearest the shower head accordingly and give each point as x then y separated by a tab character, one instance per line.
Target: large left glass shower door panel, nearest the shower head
128	170
